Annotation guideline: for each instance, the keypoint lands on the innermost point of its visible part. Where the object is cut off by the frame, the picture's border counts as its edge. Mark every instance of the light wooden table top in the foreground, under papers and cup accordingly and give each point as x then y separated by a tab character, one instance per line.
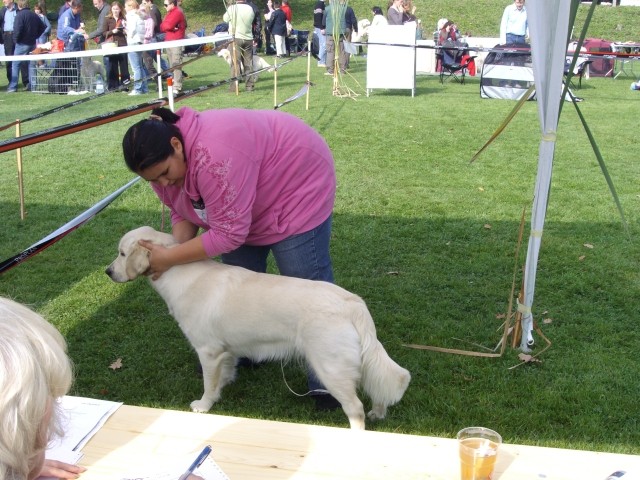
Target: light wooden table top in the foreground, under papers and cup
260	449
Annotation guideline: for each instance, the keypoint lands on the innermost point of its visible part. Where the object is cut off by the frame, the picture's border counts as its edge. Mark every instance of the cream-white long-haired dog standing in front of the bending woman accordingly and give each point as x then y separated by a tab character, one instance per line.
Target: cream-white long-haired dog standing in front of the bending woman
229	312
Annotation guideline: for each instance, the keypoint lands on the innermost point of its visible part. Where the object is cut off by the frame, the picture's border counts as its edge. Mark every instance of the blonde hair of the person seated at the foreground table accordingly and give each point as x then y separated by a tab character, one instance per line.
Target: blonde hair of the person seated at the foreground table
34	371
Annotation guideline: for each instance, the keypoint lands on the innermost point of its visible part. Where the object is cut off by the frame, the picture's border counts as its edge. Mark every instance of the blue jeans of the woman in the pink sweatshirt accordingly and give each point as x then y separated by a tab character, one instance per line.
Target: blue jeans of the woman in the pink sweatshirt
305	255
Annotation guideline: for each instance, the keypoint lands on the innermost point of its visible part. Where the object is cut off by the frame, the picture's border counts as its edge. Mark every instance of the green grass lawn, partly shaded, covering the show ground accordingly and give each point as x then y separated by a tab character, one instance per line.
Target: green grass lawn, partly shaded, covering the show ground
423	235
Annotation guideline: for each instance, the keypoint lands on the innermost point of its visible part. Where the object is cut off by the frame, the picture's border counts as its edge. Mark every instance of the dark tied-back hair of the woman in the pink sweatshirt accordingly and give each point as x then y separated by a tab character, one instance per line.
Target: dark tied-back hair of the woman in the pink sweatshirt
149	141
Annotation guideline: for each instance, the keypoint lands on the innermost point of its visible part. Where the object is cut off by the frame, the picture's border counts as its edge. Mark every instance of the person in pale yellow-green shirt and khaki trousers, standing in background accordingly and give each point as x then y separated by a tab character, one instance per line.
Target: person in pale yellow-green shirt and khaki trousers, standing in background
240	16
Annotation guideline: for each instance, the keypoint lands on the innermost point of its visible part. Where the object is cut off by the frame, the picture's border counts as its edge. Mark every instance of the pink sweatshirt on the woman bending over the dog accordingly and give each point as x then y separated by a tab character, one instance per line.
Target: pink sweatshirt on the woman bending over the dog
263	176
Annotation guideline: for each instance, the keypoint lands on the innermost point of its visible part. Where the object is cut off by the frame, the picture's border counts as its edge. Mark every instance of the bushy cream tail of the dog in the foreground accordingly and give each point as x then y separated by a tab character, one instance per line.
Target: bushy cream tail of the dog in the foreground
383	379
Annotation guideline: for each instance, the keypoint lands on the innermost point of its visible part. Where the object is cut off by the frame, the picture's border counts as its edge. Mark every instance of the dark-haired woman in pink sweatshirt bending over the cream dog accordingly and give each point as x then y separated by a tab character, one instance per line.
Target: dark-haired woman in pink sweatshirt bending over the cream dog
256	181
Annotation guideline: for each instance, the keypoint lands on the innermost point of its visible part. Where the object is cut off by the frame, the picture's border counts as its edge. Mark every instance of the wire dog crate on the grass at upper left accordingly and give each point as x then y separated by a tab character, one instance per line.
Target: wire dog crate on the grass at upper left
64	76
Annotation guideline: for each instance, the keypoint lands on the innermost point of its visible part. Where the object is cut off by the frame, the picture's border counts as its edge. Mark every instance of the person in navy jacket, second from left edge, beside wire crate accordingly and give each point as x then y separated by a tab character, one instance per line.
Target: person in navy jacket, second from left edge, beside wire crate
26	30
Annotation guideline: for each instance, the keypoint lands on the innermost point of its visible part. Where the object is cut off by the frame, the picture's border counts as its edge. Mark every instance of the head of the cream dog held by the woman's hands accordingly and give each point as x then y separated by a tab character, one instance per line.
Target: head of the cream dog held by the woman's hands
133	259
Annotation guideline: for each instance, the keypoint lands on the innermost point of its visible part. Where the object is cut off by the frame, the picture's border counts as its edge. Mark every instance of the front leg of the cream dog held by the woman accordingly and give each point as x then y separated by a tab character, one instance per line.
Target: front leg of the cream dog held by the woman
218	369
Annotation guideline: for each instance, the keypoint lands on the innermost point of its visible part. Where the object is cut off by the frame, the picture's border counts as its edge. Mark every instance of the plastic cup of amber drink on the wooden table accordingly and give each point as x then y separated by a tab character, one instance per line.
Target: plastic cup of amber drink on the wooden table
478	452
